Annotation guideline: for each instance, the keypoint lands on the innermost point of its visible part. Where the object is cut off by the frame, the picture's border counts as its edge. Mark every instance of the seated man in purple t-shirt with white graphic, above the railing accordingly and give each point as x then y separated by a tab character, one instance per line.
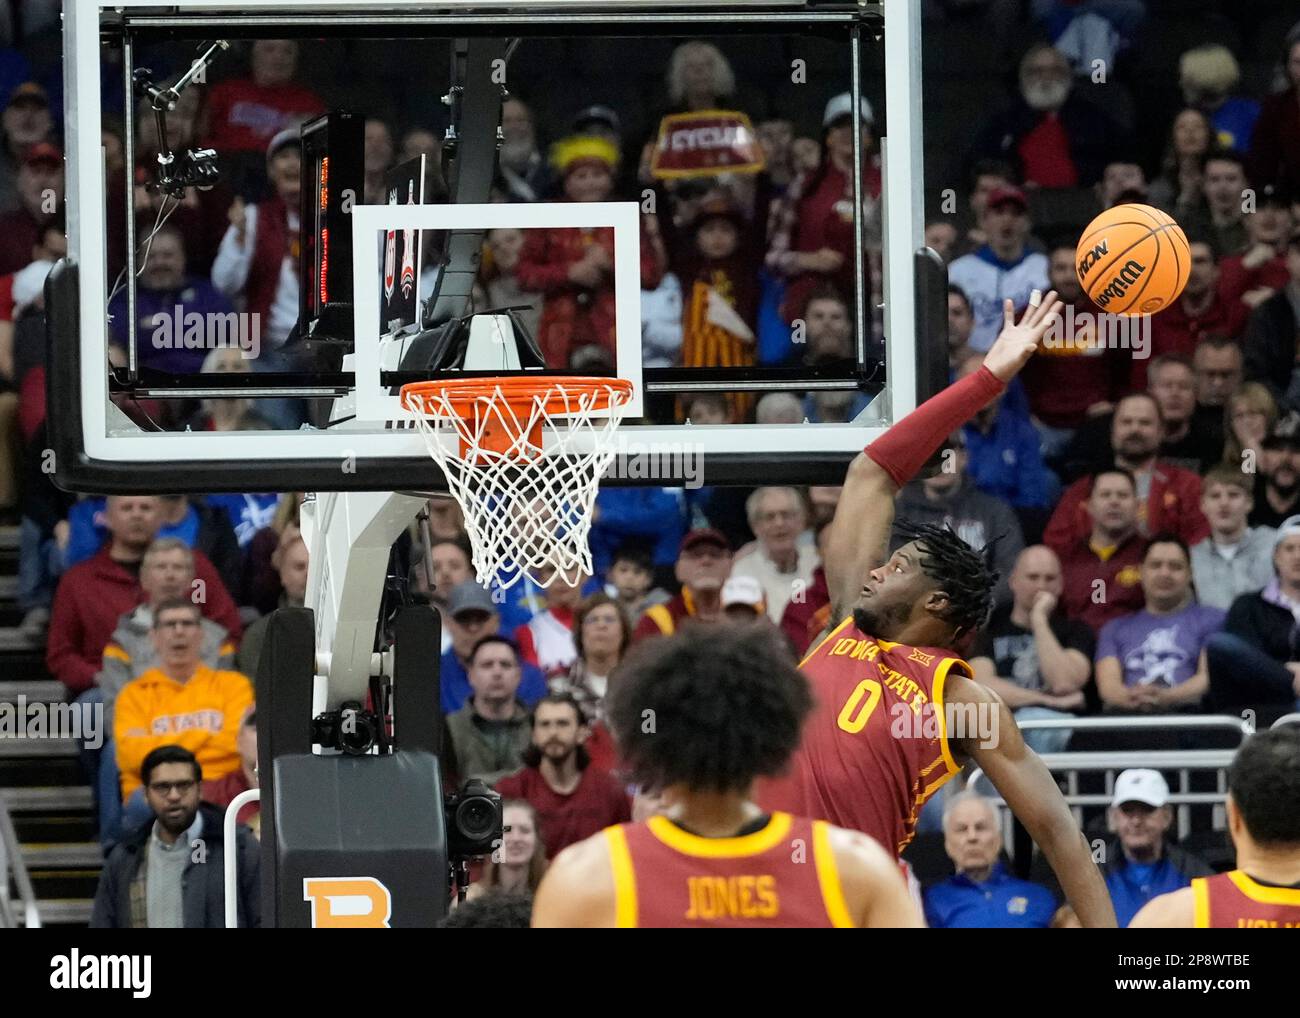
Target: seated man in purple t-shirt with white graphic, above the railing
1155	660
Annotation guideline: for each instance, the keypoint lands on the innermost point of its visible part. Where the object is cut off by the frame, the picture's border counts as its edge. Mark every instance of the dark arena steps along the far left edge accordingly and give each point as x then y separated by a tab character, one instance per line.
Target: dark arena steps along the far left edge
41	781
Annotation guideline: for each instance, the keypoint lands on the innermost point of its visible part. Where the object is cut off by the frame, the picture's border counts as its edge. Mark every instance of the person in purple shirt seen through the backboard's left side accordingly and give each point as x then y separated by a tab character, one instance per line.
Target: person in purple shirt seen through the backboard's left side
179	319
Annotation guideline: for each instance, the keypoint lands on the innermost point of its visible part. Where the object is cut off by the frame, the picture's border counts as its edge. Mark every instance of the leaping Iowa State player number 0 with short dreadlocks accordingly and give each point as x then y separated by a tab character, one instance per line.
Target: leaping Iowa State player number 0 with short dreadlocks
899	712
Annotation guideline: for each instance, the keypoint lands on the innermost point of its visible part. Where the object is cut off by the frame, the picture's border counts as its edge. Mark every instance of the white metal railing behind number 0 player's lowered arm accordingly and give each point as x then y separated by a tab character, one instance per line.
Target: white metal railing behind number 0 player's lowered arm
1185	761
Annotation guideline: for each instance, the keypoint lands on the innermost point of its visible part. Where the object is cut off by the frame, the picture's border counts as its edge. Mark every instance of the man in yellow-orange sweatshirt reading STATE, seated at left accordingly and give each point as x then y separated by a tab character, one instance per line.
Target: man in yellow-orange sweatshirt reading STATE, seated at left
180	703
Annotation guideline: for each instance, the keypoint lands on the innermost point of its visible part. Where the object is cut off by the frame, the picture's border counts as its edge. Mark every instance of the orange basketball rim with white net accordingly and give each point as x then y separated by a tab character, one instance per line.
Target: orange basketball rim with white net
526	509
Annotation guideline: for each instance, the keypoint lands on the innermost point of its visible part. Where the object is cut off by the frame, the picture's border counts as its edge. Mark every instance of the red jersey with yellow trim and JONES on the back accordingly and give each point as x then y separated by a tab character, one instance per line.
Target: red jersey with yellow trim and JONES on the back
783	876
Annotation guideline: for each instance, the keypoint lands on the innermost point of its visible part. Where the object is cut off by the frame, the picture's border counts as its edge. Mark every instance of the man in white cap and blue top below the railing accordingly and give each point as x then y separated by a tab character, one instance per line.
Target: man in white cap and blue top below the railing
1141	863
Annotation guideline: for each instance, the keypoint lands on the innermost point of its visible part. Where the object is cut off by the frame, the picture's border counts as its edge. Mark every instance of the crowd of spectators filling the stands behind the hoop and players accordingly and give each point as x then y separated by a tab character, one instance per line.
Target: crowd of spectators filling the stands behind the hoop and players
1143	510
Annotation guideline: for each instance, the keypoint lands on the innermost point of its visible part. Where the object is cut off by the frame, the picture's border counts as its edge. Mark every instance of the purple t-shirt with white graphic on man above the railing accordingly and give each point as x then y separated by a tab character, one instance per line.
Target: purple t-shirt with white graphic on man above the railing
1159	649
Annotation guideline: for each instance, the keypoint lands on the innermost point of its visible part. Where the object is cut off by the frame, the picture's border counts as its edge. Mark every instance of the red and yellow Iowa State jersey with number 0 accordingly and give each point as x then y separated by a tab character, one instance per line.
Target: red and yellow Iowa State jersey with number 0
876	747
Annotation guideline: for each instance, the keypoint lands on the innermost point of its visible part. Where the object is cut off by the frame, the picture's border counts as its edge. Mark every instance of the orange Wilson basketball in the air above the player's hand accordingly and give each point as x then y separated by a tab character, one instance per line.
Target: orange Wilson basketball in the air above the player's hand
1133	261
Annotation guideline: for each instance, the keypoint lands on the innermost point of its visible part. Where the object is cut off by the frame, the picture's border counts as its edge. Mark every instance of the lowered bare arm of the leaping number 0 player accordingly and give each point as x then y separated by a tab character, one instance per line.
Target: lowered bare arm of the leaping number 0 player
1034	798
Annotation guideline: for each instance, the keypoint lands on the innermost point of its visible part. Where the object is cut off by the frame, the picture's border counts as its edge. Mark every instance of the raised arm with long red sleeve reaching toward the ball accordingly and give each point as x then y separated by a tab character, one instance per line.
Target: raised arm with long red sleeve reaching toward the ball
861	530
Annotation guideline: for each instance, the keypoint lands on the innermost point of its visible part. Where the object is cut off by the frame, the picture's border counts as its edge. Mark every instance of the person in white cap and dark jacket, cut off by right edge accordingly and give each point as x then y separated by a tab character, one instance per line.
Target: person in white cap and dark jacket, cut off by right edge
1255	662
